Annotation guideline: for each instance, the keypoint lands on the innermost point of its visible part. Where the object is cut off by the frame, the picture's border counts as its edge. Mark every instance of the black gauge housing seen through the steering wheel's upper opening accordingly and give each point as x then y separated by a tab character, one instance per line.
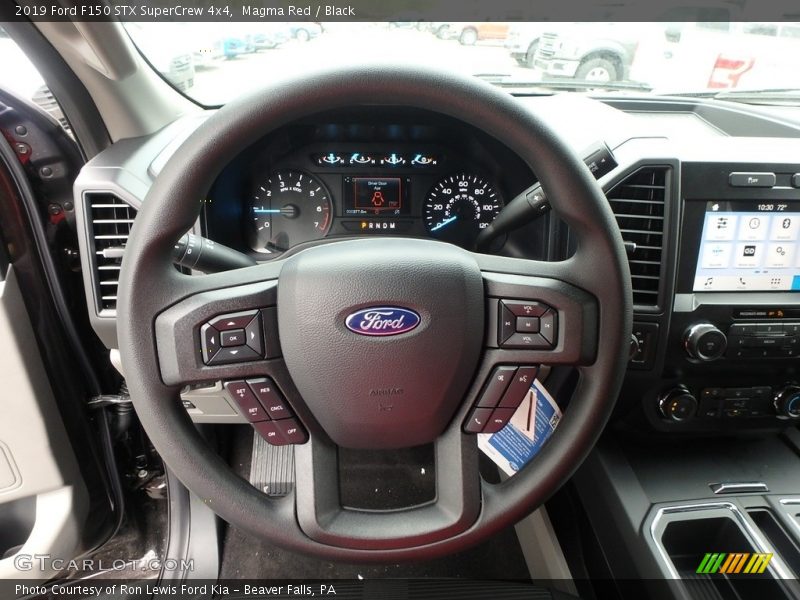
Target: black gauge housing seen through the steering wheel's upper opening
369	174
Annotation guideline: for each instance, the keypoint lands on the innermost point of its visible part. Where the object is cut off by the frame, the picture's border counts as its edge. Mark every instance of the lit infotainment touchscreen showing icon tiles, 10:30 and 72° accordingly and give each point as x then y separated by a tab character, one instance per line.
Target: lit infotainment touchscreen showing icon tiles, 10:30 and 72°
749	246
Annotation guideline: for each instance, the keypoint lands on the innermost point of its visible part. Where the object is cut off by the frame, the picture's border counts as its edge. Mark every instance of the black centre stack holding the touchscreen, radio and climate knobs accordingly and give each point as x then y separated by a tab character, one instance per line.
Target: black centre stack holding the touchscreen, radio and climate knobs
733	339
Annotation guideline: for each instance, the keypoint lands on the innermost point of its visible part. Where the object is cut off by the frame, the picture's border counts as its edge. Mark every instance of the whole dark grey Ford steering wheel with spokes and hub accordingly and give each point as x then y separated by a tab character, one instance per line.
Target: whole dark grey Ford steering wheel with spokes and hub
436	371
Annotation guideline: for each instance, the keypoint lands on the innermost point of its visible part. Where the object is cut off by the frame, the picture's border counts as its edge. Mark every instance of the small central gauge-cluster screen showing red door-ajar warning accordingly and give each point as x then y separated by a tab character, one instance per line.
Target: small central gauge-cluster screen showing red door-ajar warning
376	196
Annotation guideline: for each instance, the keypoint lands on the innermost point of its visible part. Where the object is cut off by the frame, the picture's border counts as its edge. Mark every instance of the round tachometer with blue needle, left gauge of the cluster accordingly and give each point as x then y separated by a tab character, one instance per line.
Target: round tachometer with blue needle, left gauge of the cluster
289	208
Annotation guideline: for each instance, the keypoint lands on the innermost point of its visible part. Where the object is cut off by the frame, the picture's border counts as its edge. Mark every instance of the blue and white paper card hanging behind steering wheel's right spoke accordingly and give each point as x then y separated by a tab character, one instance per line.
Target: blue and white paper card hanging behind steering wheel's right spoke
520	440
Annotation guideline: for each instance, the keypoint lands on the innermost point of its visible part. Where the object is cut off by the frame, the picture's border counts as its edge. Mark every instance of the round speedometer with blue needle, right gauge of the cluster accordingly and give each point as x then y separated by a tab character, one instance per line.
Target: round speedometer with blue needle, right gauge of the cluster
459	206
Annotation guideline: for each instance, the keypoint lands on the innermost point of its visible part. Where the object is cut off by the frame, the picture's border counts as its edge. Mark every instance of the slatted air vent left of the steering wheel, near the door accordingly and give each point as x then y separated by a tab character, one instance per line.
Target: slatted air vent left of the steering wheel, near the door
111	221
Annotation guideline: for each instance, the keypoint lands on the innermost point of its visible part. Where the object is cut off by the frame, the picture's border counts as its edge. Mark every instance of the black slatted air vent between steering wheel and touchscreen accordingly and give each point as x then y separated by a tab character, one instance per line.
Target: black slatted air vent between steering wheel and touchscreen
638	205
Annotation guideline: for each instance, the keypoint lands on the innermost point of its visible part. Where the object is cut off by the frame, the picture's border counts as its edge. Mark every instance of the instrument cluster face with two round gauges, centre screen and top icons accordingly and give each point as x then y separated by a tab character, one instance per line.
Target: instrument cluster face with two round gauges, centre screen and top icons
370	190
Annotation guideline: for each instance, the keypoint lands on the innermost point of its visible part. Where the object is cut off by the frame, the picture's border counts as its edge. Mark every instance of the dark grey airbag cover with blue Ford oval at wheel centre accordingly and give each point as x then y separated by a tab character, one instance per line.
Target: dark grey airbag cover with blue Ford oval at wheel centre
381	391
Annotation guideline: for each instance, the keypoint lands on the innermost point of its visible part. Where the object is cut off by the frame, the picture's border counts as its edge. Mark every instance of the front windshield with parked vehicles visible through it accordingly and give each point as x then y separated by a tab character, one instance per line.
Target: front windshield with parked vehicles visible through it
214	62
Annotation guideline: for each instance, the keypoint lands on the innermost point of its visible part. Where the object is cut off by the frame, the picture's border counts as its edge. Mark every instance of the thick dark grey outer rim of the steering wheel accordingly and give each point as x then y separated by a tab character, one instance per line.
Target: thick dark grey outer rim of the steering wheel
149	285
